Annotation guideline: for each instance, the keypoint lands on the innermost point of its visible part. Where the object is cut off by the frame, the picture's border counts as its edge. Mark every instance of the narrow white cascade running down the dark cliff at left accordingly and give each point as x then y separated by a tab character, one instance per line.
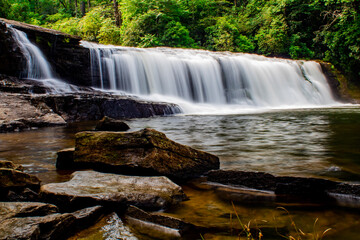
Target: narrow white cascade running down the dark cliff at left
37	67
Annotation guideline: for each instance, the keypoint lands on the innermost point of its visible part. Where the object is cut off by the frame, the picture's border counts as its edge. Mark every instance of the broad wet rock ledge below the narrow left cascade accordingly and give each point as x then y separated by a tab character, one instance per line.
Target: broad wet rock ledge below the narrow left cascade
21	108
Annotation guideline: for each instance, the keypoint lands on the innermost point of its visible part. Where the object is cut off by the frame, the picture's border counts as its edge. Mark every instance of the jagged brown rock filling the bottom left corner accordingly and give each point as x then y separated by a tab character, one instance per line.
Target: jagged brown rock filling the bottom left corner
54	226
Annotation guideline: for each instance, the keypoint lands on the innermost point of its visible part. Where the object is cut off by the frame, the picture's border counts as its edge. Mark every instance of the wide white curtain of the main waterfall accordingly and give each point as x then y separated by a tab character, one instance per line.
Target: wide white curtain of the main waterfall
216	78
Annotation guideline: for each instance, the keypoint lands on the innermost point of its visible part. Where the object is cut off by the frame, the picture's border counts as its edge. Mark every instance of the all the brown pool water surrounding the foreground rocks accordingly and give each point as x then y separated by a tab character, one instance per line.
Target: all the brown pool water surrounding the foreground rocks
318	143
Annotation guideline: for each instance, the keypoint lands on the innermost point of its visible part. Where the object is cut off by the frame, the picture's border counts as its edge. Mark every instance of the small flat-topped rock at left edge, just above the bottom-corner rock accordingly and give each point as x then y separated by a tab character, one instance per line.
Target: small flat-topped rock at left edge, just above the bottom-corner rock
25	209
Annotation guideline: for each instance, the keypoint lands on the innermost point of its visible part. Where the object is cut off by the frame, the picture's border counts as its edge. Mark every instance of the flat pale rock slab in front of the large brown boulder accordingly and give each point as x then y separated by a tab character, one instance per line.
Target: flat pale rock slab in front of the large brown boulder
88	188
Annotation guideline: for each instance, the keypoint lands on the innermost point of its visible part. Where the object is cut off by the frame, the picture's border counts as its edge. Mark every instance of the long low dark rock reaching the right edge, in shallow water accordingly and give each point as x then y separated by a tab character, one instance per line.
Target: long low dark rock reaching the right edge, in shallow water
290	188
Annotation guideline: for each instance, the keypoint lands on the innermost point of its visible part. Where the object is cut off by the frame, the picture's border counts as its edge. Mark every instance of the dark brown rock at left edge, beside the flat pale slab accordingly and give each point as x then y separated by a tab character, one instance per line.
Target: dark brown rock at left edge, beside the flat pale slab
11	179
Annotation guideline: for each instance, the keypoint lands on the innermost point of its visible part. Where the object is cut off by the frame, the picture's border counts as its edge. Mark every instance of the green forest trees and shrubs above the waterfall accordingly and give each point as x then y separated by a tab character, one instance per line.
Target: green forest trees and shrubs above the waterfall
301	29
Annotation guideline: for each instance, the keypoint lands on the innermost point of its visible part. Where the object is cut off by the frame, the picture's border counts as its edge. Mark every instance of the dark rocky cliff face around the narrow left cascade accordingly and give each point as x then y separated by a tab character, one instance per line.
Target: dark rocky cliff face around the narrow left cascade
69	60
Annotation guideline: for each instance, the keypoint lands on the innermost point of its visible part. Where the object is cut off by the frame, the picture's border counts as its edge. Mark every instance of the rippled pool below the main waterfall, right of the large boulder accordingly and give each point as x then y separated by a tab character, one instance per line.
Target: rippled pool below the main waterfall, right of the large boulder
321	142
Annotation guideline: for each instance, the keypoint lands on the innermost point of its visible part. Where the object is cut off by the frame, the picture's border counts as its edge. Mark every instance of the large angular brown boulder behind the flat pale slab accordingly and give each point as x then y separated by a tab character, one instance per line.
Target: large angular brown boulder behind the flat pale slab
147	152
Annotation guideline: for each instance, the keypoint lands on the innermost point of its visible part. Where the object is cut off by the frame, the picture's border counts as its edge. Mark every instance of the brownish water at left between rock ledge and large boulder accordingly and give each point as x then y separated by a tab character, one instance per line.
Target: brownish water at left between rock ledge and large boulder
36	149
